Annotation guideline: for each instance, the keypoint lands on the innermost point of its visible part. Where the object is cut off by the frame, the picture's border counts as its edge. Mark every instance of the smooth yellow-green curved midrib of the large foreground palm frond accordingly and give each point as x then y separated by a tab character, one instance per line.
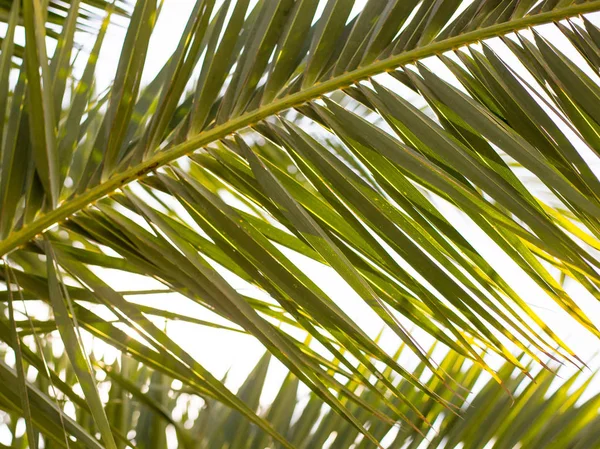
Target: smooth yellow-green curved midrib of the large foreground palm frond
70	207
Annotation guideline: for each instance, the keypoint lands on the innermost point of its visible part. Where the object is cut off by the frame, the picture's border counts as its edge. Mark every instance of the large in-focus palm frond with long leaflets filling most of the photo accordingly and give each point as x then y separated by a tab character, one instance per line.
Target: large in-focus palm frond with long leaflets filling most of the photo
297	127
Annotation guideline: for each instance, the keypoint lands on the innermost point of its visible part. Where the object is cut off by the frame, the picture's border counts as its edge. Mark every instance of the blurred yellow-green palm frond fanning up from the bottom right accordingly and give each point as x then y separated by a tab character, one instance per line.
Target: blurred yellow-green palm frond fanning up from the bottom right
538	415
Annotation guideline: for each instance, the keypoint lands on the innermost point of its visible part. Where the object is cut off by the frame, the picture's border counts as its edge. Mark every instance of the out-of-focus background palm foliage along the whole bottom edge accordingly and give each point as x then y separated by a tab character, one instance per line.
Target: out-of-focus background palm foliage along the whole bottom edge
146	406
